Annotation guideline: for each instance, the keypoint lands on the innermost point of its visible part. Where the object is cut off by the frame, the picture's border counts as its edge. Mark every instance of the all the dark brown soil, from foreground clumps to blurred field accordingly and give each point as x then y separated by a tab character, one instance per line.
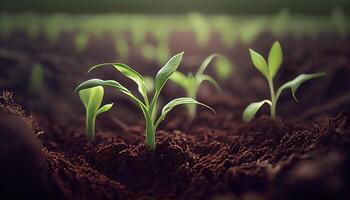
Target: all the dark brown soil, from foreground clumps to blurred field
304	154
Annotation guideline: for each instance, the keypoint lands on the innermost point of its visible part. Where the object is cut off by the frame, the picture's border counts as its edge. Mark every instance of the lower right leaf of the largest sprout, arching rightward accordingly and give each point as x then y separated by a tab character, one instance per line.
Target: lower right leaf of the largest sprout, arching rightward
176	102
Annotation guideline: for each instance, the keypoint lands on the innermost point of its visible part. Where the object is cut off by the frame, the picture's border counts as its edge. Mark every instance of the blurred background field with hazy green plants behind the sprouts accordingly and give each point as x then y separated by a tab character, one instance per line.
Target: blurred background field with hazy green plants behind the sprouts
46	47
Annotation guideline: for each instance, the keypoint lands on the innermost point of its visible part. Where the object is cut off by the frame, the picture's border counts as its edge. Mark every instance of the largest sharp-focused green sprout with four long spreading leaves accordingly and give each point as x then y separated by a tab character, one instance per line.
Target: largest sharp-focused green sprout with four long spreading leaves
146	106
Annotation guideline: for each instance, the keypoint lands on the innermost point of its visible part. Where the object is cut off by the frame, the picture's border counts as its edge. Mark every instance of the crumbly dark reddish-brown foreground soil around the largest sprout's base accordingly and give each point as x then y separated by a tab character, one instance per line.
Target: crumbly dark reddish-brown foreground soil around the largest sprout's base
260	160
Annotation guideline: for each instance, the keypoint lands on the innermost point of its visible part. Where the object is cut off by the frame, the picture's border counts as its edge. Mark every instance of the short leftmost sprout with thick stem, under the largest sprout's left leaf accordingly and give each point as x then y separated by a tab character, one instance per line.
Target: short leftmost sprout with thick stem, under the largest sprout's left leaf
92	99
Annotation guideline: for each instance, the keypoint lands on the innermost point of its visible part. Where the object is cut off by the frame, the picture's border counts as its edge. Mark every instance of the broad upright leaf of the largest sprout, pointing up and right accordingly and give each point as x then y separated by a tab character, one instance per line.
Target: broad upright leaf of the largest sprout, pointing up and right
165	72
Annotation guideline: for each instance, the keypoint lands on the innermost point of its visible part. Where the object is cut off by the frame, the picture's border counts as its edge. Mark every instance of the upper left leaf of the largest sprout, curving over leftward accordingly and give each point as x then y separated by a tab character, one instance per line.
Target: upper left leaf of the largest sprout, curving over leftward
130	73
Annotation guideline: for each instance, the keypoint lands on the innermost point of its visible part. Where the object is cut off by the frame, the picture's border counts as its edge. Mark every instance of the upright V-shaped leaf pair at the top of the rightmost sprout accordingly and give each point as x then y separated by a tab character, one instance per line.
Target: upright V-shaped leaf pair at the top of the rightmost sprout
270	69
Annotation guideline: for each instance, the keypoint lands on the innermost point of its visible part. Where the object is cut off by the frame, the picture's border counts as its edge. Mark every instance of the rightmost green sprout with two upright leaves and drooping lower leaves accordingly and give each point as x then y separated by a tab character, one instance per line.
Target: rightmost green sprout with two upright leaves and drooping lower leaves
269	70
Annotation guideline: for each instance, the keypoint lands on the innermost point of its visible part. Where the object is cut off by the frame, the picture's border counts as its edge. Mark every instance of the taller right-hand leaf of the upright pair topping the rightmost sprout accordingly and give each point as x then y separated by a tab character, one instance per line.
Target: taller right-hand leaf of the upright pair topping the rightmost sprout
275	59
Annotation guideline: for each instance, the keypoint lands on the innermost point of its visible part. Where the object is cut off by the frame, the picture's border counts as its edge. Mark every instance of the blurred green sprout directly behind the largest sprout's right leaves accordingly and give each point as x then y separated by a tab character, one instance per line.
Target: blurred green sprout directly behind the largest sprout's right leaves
191	83
